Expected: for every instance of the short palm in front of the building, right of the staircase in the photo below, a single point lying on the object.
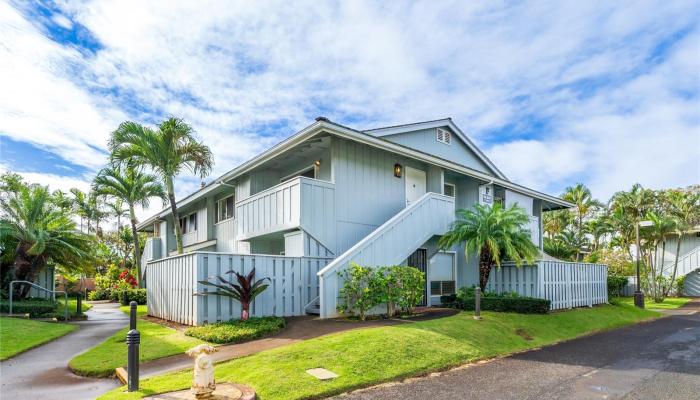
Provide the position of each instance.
(494, 234)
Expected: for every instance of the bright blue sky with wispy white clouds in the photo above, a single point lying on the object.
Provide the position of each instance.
(604, 93)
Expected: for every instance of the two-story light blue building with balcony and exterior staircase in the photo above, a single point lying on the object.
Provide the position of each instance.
(328, 195)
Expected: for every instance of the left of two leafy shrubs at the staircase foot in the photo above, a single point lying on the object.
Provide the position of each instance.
(359, 291)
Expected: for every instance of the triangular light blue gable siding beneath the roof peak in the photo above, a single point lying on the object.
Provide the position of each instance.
(424, 140)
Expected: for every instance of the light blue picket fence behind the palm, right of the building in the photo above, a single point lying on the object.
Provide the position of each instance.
(565, 284)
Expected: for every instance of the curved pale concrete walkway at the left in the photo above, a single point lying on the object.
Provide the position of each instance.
(42, 373)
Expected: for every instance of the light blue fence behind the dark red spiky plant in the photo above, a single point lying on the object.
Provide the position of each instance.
(173, 285)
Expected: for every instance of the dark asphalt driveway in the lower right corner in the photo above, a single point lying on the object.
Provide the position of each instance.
(656, 360)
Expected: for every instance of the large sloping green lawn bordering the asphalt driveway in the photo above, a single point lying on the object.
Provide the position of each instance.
(369, 356)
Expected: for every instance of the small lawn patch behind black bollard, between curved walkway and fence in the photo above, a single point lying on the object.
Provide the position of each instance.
(157, 341)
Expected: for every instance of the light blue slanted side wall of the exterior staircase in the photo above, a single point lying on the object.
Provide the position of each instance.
(389, 244)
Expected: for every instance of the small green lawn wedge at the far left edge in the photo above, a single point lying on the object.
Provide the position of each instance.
(18, 335)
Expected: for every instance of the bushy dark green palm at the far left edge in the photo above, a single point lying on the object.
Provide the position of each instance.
(41, 233)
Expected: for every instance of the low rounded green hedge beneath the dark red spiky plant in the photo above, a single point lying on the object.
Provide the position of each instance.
(236, 331)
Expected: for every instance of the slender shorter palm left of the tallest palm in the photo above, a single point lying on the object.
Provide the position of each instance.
(134, 188)
